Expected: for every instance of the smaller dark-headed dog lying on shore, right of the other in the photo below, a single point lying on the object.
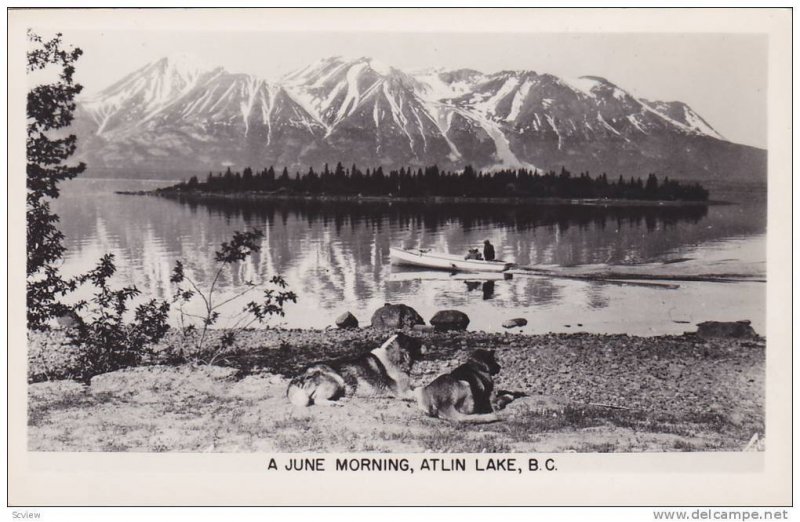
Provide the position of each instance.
(464, 394)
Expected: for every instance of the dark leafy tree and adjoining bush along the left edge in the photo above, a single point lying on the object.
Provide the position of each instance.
(104, 338)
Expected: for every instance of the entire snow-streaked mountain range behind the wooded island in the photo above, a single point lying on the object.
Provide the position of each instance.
(179, 114)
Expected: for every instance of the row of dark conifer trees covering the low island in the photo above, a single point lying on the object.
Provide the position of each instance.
(431, 181)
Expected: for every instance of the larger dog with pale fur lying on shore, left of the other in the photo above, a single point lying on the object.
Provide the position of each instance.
(383, 371)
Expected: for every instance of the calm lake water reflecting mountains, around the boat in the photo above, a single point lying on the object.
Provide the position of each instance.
(335, 256)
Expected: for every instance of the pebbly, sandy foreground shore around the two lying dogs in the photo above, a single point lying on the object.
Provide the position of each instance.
(585, 393)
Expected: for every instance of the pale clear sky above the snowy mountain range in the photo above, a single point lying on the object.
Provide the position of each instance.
(721, 76)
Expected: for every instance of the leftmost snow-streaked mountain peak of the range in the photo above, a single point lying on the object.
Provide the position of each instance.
(170, 115)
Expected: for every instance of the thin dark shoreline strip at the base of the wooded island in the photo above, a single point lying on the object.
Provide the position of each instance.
(200, 196)
